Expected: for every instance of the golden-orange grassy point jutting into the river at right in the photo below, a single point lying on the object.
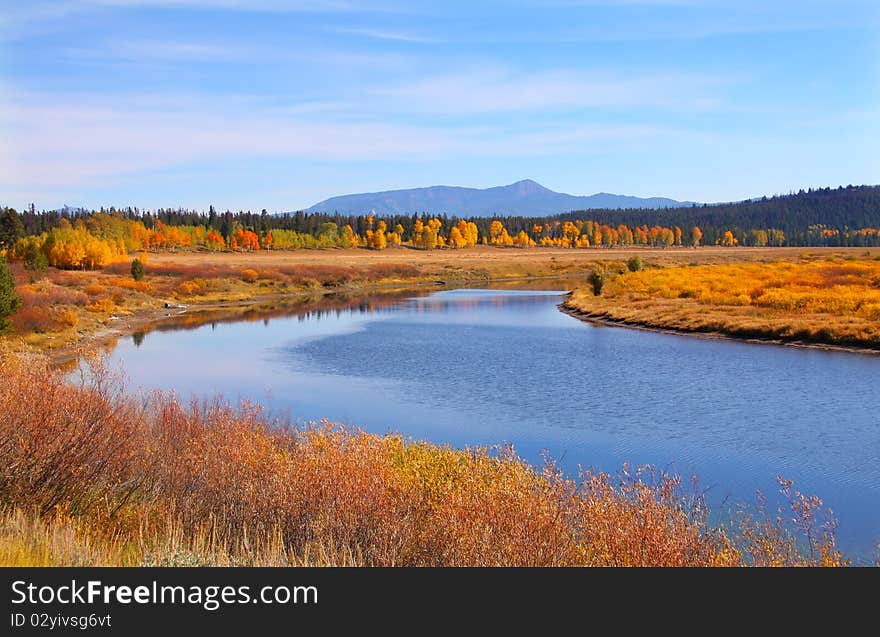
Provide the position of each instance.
(834, 301)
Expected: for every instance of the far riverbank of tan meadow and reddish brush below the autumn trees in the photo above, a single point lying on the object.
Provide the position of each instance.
(66, 313)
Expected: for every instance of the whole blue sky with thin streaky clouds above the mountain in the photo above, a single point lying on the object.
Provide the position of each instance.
(278, 104)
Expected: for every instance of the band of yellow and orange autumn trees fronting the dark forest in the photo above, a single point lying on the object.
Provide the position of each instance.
(94, 240)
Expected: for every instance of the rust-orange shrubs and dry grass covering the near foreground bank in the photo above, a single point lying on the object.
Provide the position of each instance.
(94, 477)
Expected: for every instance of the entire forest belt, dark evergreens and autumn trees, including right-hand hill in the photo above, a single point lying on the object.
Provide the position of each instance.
(846, 216)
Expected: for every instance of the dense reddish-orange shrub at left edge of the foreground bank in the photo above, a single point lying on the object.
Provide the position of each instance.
(74, 446)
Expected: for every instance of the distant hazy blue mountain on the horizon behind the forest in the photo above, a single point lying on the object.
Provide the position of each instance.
(525, 197)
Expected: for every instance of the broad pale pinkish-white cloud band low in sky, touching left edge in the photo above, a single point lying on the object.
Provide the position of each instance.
(66, 145)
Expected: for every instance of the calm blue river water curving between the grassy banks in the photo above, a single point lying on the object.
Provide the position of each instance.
(481, 367)
